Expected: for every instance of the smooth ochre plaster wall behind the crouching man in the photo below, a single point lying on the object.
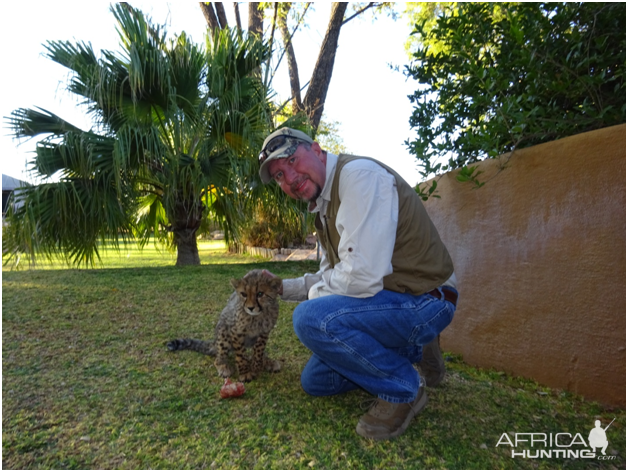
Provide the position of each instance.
(540, 258)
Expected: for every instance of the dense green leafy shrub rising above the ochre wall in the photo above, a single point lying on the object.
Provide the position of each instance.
(496, 77)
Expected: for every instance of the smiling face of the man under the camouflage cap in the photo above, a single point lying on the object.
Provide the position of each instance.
(302, 175)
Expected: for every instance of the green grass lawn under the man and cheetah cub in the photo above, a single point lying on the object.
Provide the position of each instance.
(88, 383)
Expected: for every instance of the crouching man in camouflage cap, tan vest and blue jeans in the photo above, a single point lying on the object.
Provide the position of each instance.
(385, 289)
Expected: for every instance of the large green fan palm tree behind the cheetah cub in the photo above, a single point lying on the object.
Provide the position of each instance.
(176, 131)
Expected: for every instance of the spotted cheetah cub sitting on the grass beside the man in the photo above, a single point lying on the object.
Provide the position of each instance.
(246, 322)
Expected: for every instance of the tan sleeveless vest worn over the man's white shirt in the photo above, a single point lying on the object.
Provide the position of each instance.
(420, 259)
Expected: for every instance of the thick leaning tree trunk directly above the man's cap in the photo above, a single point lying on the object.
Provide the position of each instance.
(314, 101)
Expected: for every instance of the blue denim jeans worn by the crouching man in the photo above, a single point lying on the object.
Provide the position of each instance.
(368, 343)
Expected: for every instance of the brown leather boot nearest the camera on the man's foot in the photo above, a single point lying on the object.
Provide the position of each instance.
(387, 420)
